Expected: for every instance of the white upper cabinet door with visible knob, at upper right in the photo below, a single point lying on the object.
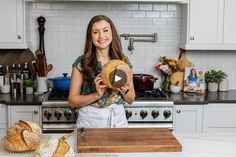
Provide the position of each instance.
(205, 21)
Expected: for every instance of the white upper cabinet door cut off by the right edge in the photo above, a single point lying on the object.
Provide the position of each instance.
(229, 22)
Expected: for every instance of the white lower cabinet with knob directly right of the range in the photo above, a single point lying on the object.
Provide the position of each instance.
(188, 118)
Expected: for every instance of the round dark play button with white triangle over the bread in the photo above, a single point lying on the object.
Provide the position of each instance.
(118, 78)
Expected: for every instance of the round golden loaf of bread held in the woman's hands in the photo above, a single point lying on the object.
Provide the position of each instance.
(115, 74)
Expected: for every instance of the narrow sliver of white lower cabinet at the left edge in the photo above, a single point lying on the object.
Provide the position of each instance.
(3, 118)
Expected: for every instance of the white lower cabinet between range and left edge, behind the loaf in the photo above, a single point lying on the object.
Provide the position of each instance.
(26, 113)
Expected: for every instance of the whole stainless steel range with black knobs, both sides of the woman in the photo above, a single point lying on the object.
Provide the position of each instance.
(150, 109)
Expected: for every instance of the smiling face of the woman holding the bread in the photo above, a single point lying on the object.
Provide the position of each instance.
(101, 34)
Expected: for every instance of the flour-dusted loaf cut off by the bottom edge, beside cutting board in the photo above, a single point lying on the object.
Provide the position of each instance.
(55, 148)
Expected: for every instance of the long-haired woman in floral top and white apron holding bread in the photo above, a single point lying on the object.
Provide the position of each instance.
(100, 107)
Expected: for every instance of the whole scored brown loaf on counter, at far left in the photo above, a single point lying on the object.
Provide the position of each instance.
(23, 136)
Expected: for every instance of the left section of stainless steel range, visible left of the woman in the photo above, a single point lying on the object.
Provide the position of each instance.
(57, 116)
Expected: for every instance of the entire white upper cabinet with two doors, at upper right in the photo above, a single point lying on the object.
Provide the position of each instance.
(208, 25)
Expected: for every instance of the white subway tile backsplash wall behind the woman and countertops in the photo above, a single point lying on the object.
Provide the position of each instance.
(66, 24)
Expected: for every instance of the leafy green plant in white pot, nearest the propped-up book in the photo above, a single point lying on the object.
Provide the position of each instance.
(213, 78)
